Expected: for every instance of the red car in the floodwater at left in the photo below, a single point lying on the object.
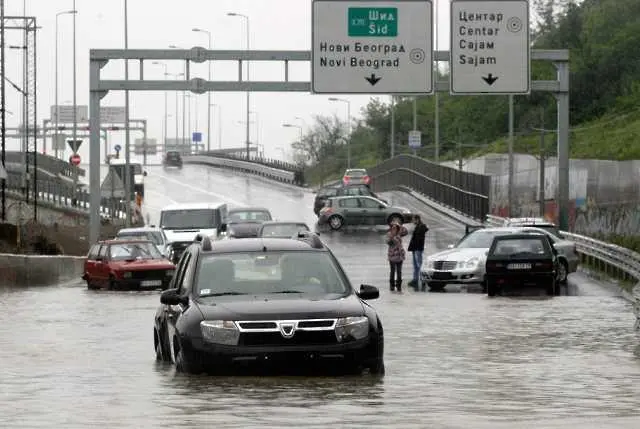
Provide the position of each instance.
(127, 264)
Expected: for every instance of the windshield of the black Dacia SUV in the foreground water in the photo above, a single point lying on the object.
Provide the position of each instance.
(274, 272)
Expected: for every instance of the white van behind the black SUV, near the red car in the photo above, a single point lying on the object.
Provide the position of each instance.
(182, 222)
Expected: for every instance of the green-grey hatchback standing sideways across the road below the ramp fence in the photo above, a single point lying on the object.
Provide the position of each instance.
(341, 211)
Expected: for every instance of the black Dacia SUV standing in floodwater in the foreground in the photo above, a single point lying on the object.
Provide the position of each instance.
(268, 304)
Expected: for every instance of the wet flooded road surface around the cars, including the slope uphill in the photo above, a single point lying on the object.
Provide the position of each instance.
(73, 358)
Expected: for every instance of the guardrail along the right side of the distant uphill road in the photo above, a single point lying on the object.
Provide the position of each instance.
(290, 177)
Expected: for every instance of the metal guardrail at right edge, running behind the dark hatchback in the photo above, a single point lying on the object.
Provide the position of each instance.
(611, 259)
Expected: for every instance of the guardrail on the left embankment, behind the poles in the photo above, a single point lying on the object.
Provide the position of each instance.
(60, 196)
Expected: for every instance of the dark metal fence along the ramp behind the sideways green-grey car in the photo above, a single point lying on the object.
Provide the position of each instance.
(467, 193)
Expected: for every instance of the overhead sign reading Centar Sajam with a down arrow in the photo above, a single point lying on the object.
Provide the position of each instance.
(490, 48)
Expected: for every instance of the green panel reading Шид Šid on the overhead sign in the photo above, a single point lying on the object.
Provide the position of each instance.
(373, 22)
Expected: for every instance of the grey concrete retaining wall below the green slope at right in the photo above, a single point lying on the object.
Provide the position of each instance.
(605, 195)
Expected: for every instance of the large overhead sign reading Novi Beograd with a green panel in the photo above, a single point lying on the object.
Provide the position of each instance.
(372, 47)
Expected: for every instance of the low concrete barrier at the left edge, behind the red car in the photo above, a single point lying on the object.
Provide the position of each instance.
(39, 270)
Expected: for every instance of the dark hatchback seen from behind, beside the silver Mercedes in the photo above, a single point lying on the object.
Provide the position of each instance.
(519, 261)
